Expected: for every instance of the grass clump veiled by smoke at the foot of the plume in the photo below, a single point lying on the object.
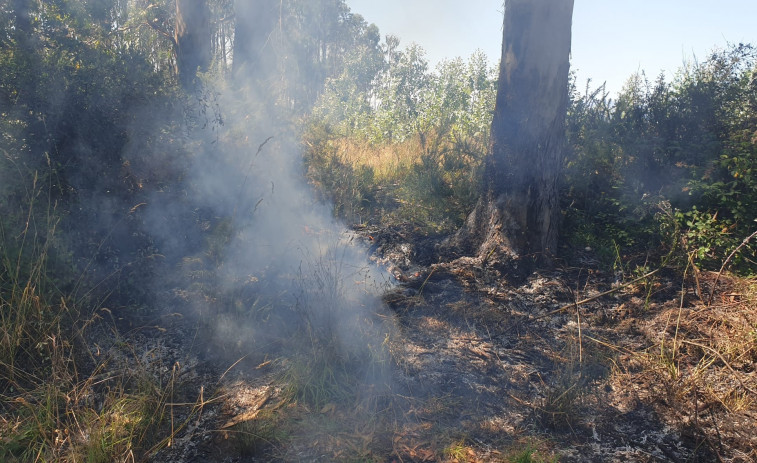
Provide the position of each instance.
(340, 353)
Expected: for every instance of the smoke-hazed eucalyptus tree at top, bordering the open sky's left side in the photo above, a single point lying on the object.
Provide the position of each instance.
(287, 50)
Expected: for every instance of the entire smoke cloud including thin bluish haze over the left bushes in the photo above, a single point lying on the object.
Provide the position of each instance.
(197, 203)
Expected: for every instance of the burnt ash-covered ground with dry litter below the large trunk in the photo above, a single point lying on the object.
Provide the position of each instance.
(483, 370)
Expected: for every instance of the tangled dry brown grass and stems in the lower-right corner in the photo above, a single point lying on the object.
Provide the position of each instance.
(700, 371)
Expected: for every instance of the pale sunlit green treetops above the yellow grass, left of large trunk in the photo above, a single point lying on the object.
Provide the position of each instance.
(397, 97)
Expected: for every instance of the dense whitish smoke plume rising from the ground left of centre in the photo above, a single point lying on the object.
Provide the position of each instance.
(249, 250)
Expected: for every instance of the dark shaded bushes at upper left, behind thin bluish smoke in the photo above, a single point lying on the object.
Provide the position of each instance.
(76, 99)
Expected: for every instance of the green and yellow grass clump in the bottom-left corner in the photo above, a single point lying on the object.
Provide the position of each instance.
(53, 412)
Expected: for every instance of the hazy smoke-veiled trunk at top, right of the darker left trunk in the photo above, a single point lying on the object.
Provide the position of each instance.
(252, 52)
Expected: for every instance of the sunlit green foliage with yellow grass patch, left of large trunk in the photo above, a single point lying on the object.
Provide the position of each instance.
(400, 143)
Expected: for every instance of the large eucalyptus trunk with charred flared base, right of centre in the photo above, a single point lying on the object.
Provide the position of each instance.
(517, 215)
